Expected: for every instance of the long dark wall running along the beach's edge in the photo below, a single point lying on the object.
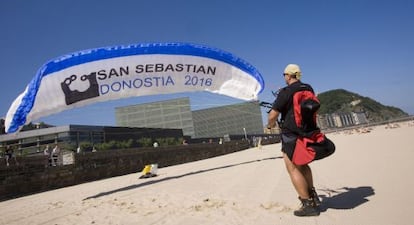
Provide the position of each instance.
(33, 174)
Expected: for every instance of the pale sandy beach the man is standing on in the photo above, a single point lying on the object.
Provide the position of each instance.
(366, 181)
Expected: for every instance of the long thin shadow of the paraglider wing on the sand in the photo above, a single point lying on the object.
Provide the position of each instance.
(174, 177)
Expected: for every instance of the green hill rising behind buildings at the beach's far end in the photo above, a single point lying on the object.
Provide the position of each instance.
(342, 101)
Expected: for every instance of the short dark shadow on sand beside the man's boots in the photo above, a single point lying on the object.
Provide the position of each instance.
(345, 198)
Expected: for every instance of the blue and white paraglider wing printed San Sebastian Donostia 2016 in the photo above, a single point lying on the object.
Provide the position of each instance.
(110, 73)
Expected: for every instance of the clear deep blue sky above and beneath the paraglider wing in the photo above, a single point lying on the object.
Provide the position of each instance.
(363, 46)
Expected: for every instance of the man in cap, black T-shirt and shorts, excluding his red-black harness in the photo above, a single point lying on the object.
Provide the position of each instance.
(300, 175)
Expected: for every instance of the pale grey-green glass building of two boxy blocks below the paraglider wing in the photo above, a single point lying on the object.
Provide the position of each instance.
(237, 119)
